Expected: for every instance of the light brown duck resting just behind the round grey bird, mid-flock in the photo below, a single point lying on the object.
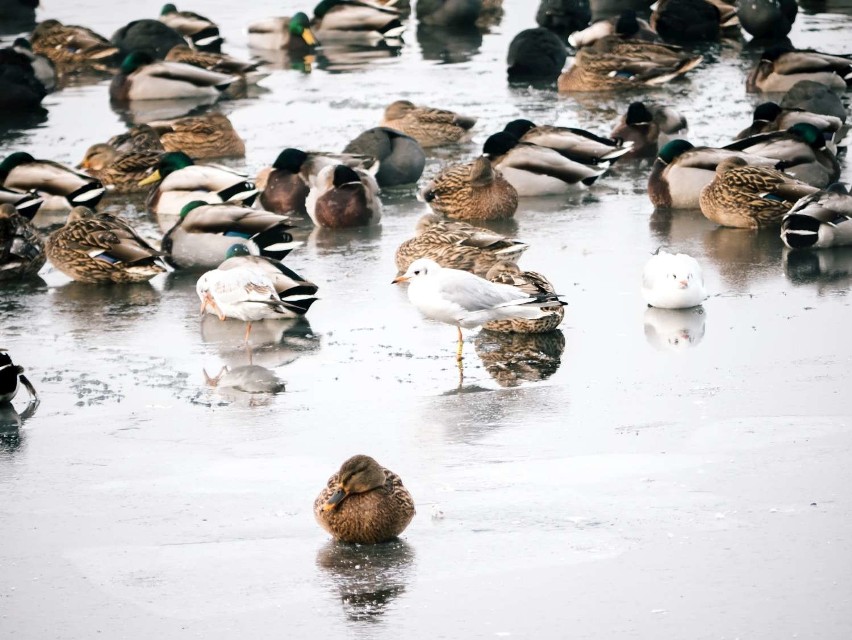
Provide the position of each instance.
(431, 127)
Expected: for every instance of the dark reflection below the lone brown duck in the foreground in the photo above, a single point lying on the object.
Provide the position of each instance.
(367, 578)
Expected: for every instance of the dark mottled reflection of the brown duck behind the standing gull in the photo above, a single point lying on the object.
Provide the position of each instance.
(514, 358)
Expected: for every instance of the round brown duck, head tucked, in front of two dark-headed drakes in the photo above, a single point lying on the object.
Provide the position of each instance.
(471, 191)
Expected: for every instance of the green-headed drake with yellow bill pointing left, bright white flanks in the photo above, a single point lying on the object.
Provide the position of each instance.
(183, 181)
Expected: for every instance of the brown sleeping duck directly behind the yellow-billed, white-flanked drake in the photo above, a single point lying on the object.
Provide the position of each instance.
(207, 136)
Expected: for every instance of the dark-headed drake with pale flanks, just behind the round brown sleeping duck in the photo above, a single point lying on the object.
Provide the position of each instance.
(535, 170)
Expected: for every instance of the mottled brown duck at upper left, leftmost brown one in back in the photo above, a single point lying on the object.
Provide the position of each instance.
(71, 46)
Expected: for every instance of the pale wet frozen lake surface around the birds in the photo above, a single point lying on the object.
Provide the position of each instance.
(649, 476)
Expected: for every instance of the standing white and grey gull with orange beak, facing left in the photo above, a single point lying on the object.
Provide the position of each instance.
(465, 300)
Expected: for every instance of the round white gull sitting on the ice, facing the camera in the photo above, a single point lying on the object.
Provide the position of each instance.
(673, 281)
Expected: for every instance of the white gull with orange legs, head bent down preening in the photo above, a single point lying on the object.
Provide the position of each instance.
(244, 292)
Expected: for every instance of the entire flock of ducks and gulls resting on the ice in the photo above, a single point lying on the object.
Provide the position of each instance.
(236, 230)
